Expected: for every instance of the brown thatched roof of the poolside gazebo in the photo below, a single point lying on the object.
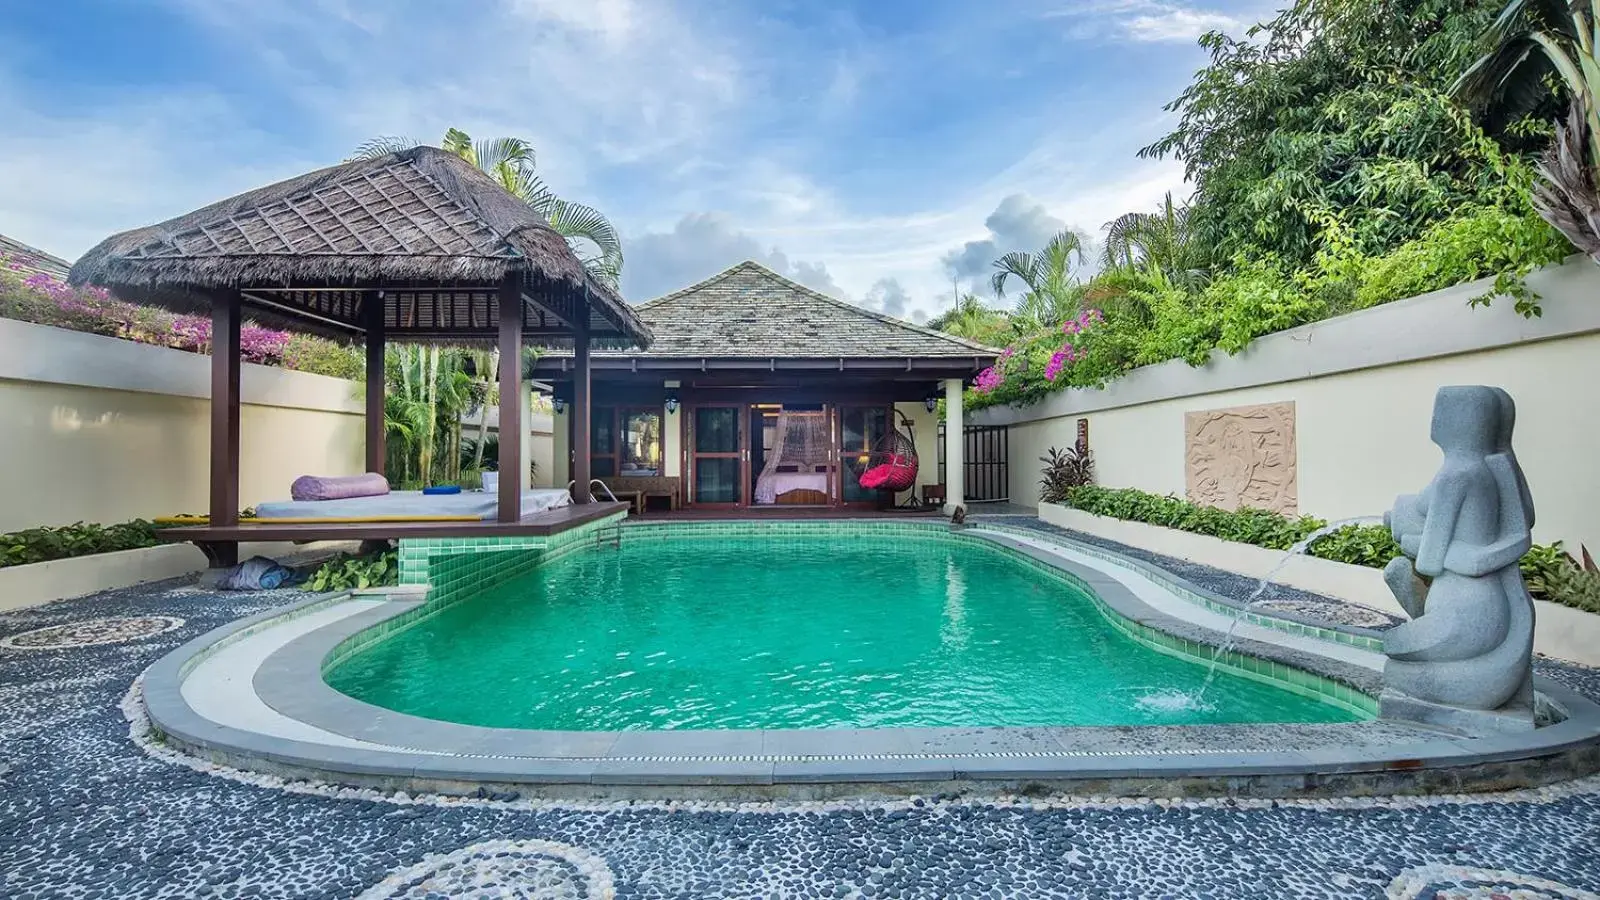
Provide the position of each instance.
(422, 230)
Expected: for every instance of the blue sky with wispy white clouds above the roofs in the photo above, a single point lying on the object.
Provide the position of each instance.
(874, 150)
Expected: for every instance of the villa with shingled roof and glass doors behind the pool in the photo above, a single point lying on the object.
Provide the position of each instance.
(759, 392)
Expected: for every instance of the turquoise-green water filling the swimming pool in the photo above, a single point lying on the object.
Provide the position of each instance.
(793, 633)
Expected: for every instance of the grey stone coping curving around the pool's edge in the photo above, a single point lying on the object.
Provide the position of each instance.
(430, 755)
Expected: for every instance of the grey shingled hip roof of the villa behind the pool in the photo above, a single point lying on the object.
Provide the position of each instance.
(753, 311)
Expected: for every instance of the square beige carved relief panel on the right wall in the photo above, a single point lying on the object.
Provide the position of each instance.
(1242, 457)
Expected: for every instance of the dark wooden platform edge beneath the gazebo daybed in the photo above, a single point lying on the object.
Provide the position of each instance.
(220, 542)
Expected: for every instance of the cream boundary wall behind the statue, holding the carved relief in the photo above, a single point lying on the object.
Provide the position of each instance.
(1364, 390)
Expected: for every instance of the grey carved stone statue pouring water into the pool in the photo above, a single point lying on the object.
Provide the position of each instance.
(1465, 659)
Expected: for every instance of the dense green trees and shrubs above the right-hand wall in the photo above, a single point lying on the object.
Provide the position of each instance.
(1334, 169)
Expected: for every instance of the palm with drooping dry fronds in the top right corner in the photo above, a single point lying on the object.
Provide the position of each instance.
(1529, 42)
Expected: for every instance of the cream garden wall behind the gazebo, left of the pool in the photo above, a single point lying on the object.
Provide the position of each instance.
(100, 430)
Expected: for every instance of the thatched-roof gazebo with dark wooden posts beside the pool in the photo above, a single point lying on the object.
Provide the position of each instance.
(417, 246)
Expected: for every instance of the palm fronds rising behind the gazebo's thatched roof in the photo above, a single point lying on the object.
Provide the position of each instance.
(511, 163)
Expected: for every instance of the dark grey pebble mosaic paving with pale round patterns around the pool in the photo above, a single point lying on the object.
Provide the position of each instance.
(89, 813)
